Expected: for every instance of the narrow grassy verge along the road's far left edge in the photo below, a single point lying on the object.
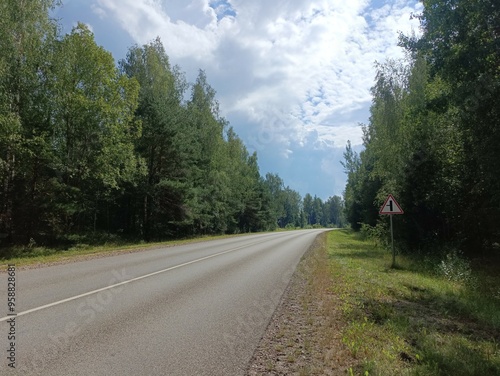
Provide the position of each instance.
(33, 256)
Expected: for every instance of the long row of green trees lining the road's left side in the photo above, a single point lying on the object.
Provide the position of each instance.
(93, 149)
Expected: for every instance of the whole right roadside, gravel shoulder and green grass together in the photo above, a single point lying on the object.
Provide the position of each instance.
(346, 312)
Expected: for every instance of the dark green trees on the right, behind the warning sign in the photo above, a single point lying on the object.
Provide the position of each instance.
(433, 136)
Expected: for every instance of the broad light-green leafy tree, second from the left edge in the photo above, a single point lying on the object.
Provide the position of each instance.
(93, 131)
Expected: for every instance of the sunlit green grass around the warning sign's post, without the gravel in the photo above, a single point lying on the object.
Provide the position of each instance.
(411, 320)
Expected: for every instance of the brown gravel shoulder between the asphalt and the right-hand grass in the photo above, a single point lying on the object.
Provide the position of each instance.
(304, 335)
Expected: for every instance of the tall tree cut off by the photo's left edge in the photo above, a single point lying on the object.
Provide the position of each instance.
(26, 37)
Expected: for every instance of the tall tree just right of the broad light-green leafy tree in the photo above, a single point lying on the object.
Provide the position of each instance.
(158, 199)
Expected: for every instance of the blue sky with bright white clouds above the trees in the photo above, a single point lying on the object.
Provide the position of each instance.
(292, 77)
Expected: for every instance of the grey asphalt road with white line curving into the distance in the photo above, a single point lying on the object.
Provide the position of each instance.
(197, 309)
